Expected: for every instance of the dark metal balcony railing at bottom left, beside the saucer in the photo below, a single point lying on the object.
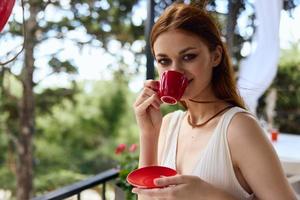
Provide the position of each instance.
(78, 187)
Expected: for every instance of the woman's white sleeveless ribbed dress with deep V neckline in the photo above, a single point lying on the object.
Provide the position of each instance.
(214, 163)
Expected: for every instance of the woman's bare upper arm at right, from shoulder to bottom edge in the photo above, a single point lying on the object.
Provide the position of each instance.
(257, 160)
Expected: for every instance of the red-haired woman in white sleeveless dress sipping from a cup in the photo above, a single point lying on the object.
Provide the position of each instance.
(216, 146)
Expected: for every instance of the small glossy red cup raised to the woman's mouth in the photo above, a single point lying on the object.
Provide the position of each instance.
(172, 86)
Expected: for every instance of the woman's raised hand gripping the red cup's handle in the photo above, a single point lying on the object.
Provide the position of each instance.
(147, 108)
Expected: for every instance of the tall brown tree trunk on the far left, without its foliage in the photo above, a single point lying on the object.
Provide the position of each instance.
(27, 126)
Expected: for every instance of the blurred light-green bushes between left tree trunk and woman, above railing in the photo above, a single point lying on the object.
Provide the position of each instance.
(80, 137)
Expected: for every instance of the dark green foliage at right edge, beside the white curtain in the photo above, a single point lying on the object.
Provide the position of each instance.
(287, 84)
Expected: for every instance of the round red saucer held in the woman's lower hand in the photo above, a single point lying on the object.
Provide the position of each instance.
(143, 177)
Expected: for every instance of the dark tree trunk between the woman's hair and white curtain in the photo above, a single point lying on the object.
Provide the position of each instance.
(233, 11)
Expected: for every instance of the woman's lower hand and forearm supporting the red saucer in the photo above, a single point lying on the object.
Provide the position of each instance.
(182, 187)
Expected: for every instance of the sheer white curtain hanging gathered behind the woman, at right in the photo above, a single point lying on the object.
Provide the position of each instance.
(258, 70)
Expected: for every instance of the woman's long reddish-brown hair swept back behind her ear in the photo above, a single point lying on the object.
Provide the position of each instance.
(197, 21)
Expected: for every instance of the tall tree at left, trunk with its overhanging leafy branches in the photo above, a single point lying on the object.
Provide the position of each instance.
(102, 21)
